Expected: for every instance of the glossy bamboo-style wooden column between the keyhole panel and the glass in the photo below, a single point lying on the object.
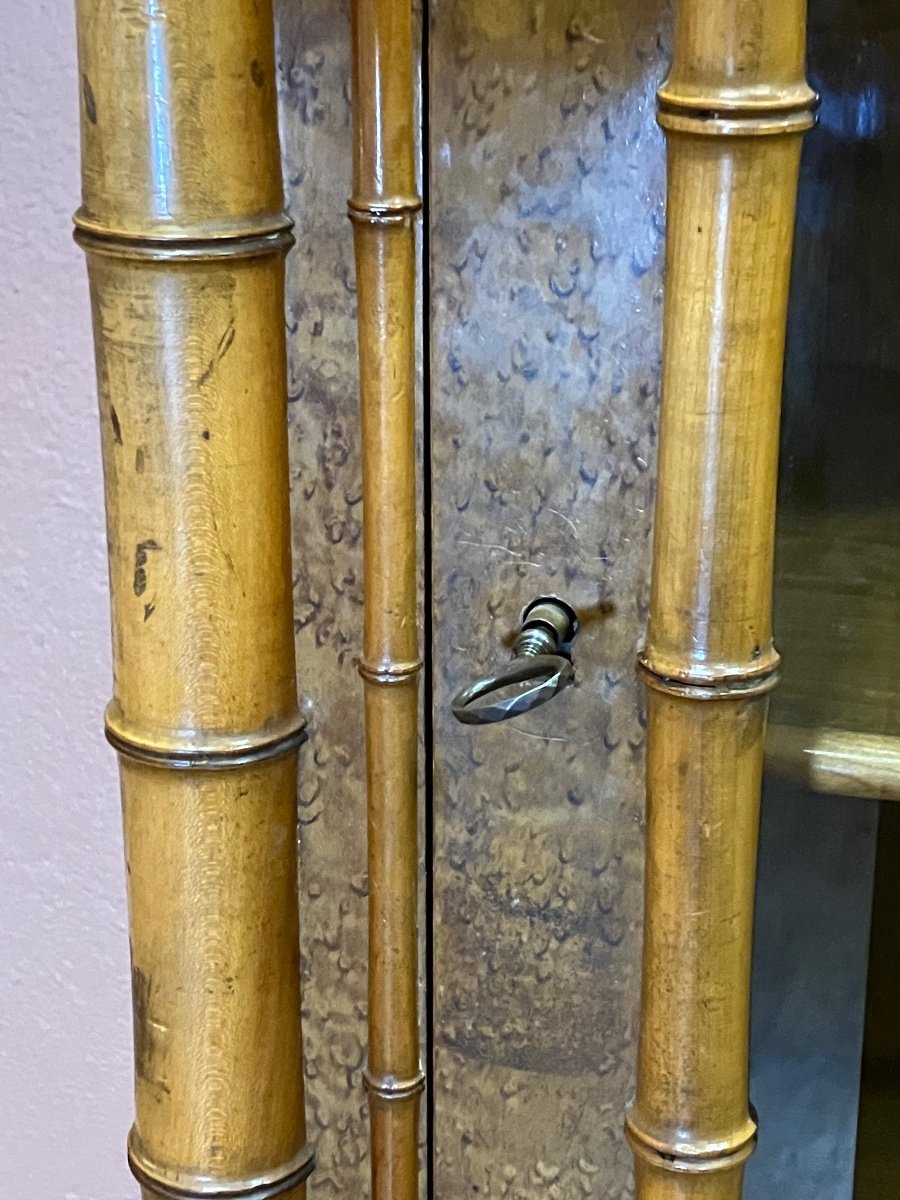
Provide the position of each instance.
(734, 110)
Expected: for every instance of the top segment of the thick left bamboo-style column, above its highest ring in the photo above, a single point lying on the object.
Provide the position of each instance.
(159, 160)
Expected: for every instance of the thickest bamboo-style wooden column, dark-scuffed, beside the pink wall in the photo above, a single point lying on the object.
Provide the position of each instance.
(183, 226)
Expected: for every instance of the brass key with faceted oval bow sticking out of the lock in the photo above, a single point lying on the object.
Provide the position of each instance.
(541, 668)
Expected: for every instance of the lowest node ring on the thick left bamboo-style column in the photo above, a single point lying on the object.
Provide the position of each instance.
(182, 1186)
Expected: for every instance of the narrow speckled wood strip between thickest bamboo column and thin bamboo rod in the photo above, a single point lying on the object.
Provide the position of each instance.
(327, 505)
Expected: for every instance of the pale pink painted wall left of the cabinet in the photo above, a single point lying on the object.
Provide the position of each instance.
(65, 1031)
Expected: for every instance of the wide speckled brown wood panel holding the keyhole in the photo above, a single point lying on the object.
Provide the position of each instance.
(547, 255)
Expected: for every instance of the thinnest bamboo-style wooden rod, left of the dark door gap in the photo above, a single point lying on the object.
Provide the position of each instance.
(383, 208)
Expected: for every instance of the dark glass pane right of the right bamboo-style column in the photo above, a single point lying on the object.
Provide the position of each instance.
(837, 605)
